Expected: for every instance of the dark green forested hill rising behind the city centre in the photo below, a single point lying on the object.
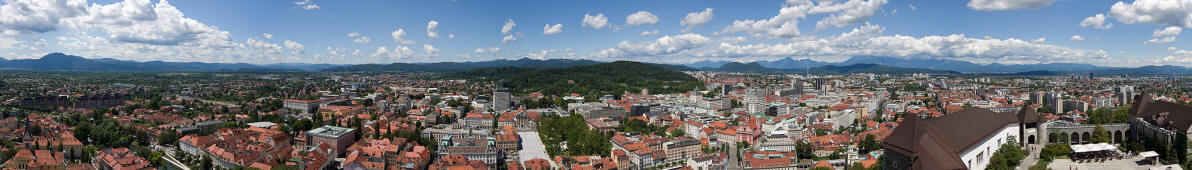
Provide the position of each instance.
(613, 79)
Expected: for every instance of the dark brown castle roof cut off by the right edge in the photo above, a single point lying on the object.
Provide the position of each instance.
(1177, 116)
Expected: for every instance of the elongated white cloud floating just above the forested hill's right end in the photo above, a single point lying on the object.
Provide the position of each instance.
(665, 46)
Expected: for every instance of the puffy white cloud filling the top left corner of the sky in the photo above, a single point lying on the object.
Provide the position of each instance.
(39, 16)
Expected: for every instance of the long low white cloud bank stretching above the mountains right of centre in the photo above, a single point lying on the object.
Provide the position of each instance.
(870, 41)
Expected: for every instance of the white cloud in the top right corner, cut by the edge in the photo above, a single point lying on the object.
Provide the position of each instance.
(1163, 12)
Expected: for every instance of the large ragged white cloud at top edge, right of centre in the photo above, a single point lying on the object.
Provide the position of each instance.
(786, 24)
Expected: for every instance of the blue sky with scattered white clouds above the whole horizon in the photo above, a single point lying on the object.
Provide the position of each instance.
(1101, 33)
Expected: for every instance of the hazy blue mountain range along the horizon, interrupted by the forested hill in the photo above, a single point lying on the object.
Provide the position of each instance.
(868, 64)
